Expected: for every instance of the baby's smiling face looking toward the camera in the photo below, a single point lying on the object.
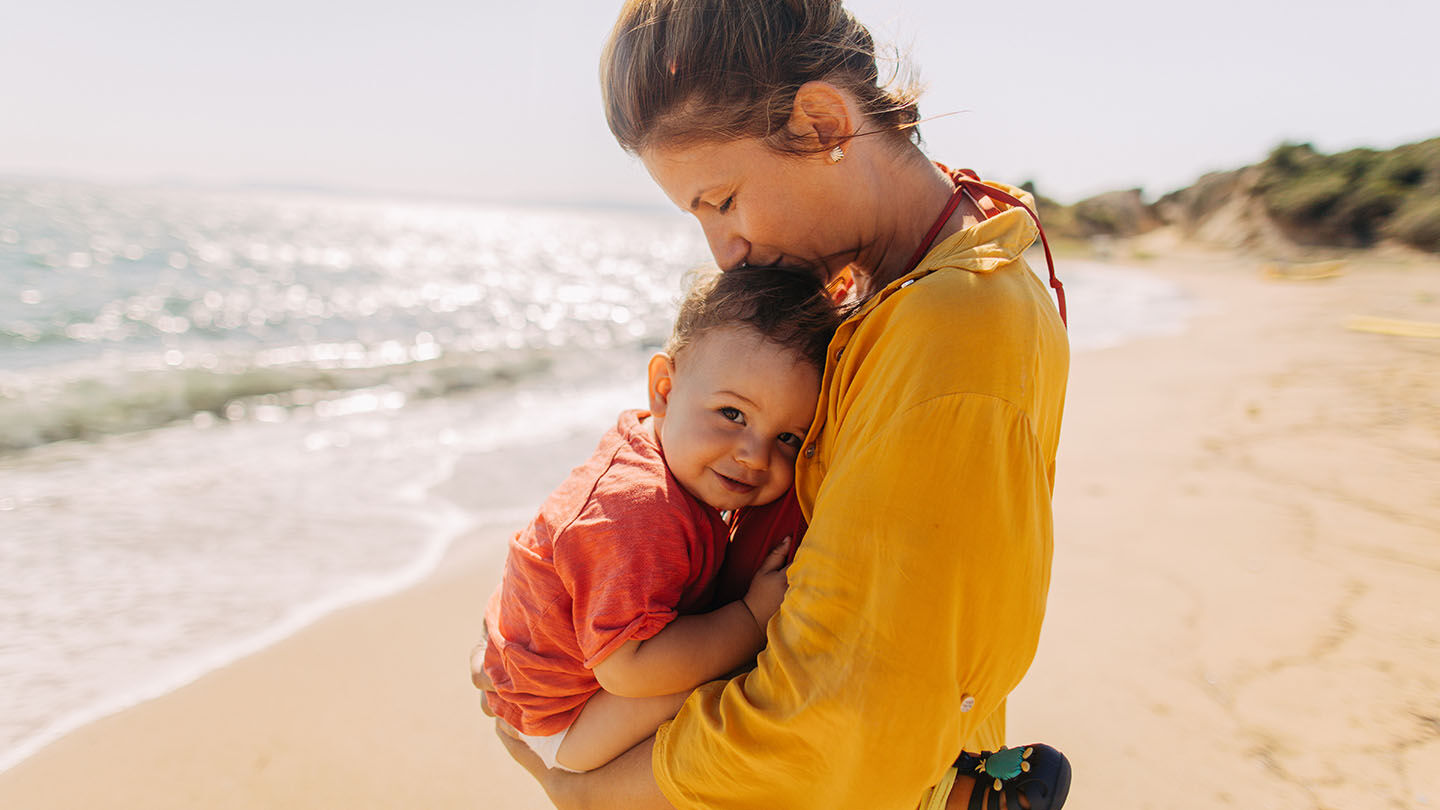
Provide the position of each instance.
(732, 416)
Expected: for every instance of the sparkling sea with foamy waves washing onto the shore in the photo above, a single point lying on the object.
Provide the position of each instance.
(225, 414)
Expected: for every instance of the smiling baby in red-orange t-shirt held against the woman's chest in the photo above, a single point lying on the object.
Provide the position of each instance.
(606, 619)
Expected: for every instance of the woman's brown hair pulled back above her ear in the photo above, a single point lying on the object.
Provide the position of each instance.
(685, 71)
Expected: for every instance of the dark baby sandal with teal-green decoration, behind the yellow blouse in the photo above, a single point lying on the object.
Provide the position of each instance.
(1039, 773)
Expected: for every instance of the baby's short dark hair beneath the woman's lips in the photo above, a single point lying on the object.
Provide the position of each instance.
(788, 308)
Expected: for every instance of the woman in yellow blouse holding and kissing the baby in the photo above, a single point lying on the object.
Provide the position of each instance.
(917, 599)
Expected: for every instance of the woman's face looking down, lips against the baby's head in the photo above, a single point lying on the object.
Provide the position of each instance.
(760, 207)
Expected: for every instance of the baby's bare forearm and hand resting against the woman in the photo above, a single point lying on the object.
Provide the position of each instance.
(696, 649)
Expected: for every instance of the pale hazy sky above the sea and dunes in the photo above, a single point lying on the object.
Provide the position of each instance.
(500, 100)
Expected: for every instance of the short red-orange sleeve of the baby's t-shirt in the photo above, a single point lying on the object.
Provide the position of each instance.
(626, 563)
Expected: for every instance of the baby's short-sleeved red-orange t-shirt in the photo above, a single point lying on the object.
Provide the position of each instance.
(617, 553)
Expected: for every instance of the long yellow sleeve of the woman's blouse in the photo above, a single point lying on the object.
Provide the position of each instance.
(922, 582)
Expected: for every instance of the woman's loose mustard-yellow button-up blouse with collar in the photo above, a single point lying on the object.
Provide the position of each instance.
(917, 599)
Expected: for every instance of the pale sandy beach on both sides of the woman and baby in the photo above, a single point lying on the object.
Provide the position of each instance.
(1243, 609)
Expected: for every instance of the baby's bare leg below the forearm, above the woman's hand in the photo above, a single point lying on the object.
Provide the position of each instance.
(611, 726)
